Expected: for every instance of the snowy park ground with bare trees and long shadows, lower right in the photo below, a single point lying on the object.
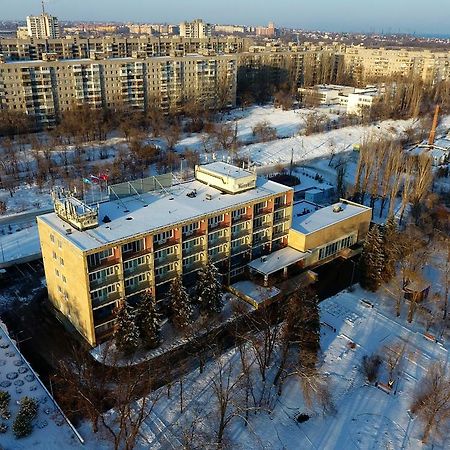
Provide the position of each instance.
(366, 416)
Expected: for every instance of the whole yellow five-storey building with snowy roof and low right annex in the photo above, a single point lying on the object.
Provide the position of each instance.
(153, 230)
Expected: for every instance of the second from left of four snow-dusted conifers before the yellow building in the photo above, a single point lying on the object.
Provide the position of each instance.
(147, 319)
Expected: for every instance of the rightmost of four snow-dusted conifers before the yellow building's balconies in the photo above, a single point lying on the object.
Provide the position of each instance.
(209, 290)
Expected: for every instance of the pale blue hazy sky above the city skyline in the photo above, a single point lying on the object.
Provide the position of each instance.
(420, 16)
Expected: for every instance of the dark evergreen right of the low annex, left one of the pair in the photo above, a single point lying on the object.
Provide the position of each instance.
(371, 262)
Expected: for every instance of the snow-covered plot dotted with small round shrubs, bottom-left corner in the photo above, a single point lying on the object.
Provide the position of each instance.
(51, 430)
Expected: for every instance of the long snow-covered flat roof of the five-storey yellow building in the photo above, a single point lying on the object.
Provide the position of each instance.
(153, 211)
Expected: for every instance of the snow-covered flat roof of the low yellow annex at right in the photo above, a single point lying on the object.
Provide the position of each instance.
(316, 219)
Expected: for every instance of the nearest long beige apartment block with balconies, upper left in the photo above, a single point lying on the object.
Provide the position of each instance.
(44, 89)
